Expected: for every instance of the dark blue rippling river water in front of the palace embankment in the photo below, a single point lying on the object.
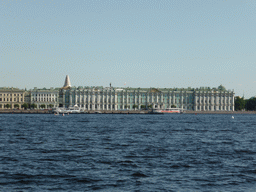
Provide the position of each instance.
(127, 152)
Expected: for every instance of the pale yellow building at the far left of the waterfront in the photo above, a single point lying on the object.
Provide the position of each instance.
(11, 96)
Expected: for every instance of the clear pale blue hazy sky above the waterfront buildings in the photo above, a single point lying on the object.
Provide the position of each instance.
(143, 43)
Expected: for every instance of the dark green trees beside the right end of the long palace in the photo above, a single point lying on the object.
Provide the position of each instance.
(245, 104)
